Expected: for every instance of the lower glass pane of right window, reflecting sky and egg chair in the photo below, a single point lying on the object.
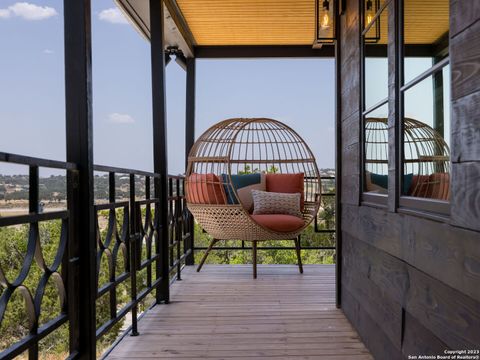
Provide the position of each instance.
(426, 145)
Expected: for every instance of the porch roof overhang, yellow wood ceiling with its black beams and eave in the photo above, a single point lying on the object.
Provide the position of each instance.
(234, 29)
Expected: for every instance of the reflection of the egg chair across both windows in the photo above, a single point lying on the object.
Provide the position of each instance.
(426, 157)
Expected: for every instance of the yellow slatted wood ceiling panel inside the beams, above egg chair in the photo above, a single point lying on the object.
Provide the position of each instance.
(250, 22)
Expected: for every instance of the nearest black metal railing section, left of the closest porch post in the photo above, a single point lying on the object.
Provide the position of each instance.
(57, 270)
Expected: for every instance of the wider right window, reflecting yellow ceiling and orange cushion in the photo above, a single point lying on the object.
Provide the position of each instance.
(425, 104)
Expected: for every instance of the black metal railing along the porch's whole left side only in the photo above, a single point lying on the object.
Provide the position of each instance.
(128, 253)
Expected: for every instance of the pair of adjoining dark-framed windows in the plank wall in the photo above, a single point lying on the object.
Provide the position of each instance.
(419, 68)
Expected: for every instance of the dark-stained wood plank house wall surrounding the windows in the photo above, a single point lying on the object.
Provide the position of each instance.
(410, 285)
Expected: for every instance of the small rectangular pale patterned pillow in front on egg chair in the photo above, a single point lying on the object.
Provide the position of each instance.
(265, 202)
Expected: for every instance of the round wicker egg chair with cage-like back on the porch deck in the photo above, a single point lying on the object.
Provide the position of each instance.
(237, 147)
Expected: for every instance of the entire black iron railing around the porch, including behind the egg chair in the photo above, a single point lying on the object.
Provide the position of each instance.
(128, 249)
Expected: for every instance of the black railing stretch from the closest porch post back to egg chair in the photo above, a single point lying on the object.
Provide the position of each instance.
(140, 241)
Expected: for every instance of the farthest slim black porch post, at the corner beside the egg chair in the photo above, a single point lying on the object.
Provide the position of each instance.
(189, 141)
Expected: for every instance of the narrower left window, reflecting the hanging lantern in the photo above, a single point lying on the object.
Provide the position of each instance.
(374, 101)
